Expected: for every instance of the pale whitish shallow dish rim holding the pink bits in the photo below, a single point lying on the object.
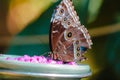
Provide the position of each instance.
(37, 69)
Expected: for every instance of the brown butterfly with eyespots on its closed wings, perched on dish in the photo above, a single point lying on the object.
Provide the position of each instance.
(69, 39)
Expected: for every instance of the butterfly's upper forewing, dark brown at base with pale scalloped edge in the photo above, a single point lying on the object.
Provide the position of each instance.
(59, 21)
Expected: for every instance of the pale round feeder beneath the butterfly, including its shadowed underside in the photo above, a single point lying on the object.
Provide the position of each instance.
(10, 69)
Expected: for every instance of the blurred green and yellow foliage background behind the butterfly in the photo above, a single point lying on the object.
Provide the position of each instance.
(25, 24)
